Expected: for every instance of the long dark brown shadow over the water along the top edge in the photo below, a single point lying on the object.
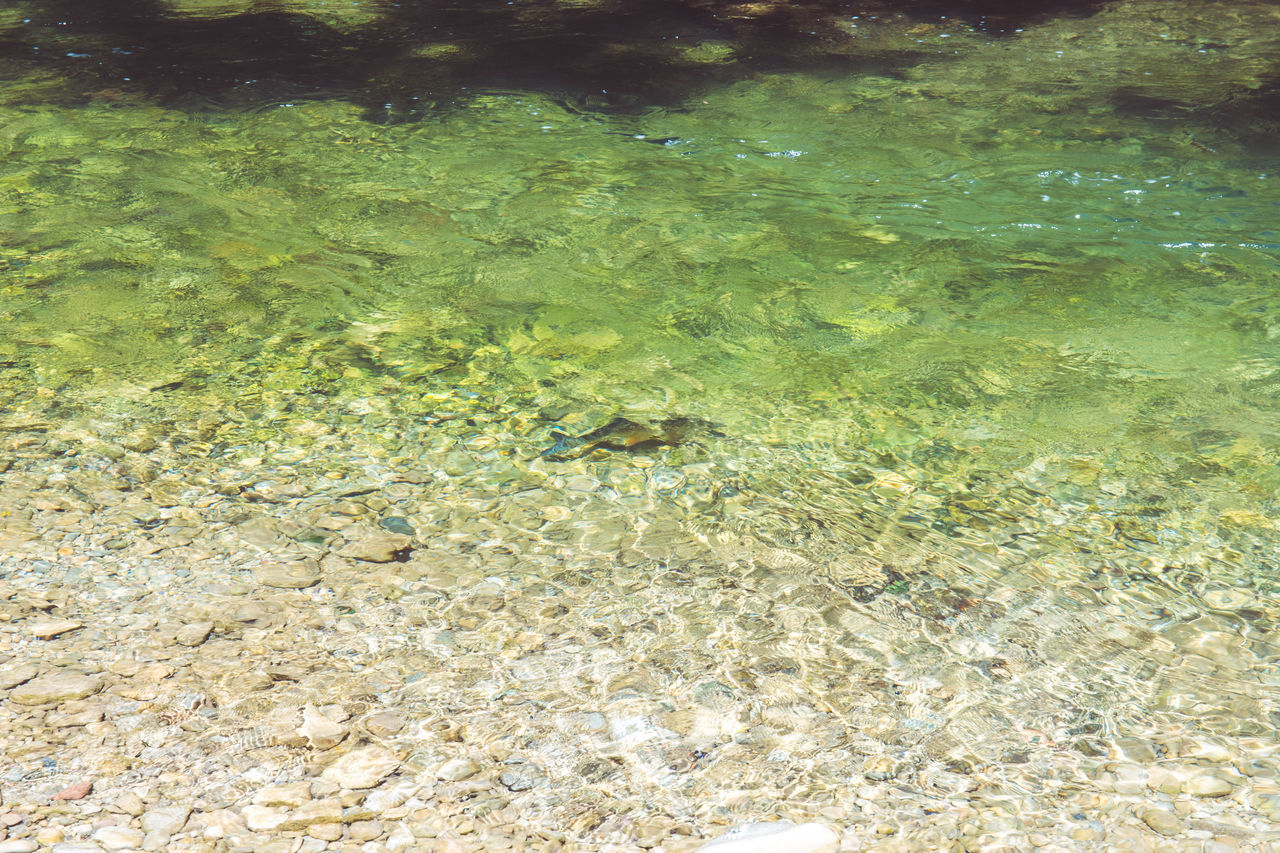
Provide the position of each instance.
(410, 61)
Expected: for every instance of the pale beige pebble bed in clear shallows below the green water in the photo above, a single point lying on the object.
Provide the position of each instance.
(510, 592)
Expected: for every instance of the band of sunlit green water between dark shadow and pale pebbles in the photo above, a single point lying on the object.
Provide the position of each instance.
(989, 248)
